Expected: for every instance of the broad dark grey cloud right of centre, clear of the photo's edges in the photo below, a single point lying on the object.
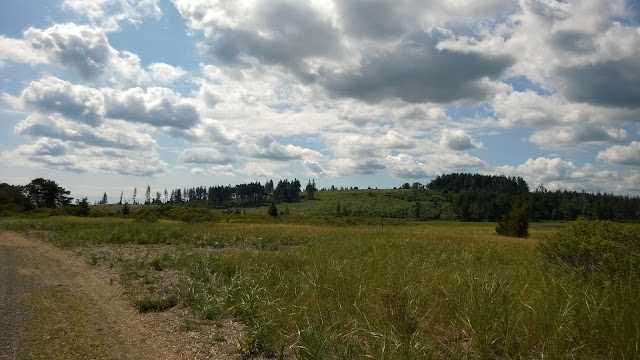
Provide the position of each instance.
(417, 72)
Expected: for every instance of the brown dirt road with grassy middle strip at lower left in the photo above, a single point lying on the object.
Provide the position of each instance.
(54, 305)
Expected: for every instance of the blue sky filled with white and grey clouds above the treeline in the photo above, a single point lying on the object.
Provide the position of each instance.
(111, 95)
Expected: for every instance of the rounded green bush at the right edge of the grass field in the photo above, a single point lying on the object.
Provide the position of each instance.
(595, 247)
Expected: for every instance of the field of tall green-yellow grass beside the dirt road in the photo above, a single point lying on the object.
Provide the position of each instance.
(413, 291)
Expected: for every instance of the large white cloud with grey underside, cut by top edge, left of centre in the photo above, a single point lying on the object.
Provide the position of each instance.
(286, 33)
